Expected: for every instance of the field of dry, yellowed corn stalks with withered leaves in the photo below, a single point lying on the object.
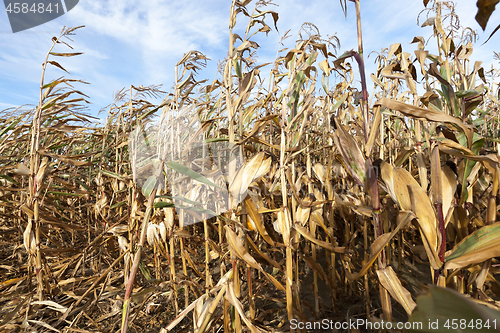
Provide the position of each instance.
(246, 203)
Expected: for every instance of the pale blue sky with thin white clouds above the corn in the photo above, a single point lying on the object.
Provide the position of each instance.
(139, 42)
